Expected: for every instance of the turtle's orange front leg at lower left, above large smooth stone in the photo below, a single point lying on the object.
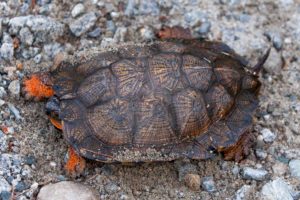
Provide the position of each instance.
(75, 164)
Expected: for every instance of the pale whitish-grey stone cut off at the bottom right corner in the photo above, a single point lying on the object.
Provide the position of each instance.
(276, 190)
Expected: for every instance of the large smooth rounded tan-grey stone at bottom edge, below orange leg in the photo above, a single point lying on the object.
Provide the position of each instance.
(66, 190)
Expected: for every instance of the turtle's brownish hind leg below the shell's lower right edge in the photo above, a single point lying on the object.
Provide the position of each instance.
(240, 149)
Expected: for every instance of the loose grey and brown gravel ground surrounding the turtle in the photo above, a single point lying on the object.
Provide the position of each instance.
(33, 152)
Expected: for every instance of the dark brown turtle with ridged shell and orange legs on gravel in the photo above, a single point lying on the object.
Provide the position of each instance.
(177, 97)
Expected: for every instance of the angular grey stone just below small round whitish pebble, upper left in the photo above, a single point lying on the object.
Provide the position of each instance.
(81, 25)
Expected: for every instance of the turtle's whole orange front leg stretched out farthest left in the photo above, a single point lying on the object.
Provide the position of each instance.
(38, 86)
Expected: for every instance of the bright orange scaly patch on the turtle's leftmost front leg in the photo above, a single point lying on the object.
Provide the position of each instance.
(35, 87)
